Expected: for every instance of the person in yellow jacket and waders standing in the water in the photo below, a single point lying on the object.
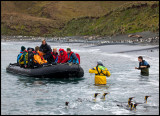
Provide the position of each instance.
(100, 73)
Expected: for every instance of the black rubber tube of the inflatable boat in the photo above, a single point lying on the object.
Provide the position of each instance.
(58, 70)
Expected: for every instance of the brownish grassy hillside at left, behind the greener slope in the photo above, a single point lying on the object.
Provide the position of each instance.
(40, 18)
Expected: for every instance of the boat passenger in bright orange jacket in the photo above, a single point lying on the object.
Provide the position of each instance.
(38, 60)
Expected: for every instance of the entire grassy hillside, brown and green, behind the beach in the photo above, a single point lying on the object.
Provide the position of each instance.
(68, 18)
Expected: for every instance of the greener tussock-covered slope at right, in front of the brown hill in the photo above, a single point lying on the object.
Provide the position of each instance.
(131, 18)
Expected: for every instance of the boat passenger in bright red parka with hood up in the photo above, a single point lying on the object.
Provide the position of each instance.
(63, 57)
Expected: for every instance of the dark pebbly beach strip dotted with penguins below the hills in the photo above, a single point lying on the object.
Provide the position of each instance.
(136, 38)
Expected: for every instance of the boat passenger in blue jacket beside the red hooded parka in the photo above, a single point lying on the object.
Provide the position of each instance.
(72, 56)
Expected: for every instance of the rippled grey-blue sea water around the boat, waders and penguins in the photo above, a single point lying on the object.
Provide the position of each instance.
(27, 95)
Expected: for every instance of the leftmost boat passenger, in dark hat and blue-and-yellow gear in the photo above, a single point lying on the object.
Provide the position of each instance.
(22, 58)
